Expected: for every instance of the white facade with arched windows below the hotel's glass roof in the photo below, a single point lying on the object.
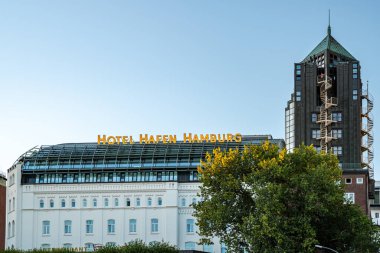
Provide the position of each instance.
(81, 215)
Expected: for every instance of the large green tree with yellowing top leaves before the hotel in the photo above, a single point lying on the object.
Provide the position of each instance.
(267, 200)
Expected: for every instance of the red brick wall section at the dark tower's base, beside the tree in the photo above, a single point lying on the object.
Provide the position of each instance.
(360, 190)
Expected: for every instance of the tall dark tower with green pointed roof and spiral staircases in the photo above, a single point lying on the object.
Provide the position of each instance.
(331, 109)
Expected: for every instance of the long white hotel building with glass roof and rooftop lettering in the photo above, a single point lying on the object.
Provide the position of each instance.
(89, 194)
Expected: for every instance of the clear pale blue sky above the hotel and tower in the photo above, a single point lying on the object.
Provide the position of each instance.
(70, 70)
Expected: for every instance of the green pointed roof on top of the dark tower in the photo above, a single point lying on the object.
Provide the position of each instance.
(329, 43)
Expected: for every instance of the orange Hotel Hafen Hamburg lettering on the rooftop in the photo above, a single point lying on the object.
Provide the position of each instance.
(169, 138)
